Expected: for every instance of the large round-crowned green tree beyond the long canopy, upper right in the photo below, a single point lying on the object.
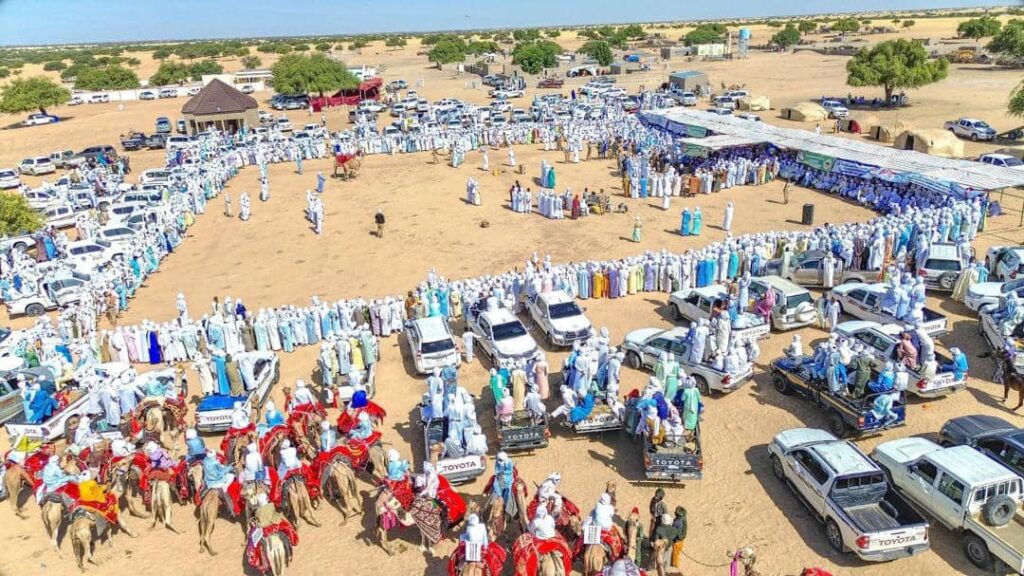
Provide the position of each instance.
(897, 64)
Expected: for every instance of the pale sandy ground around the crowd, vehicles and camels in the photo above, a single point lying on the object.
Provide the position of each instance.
(276, 259)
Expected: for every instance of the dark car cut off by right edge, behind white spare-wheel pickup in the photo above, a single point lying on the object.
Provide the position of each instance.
(992, 436)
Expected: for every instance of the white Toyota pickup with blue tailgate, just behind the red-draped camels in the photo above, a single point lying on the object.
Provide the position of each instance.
(260, 371)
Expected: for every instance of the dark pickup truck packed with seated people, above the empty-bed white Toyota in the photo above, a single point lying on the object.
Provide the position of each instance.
(847, 416)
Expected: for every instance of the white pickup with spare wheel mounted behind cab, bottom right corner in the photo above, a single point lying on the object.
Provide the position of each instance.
(965, 490)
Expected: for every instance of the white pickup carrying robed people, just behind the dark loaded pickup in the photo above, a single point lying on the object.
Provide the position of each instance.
(881, 342)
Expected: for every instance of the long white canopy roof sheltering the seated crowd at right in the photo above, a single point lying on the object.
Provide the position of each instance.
(966, 175)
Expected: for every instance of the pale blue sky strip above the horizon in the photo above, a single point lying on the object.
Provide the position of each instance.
(64, 22)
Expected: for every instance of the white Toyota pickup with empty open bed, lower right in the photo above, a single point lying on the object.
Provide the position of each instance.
(849, 495)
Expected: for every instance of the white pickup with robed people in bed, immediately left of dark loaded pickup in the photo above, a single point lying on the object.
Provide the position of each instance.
(644, 349)
